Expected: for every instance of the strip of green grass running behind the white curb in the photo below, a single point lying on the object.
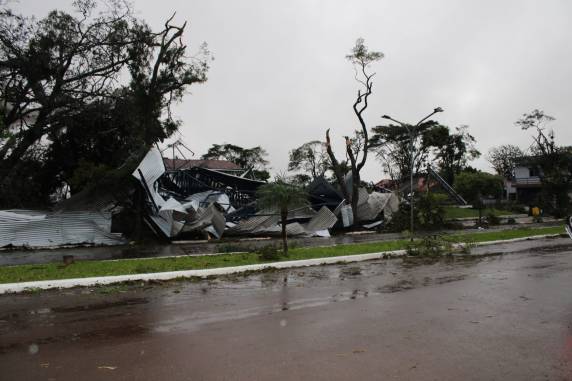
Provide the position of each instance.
(84, 269)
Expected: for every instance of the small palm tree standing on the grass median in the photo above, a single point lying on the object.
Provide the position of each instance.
(282, 196)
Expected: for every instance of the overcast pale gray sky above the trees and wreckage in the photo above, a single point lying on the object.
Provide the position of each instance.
(280, 78)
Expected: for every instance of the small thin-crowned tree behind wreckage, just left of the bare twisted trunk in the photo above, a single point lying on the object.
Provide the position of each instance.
(311, 158)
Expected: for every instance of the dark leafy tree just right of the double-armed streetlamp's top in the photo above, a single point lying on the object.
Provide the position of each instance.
(453, 152)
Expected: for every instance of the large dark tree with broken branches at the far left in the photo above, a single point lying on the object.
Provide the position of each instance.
(84, 85)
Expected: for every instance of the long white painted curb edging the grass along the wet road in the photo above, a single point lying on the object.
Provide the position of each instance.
(95, 281)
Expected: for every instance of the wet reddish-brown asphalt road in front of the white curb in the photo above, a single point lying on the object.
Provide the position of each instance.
(500, 317)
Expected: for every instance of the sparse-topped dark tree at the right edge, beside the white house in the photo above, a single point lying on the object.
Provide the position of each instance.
(554, 161)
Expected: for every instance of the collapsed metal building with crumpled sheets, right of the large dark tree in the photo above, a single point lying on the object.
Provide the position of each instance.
(199, 199)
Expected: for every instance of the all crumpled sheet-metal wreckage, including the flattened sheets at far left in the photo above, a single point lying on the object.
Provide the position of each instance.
(190, 201)
